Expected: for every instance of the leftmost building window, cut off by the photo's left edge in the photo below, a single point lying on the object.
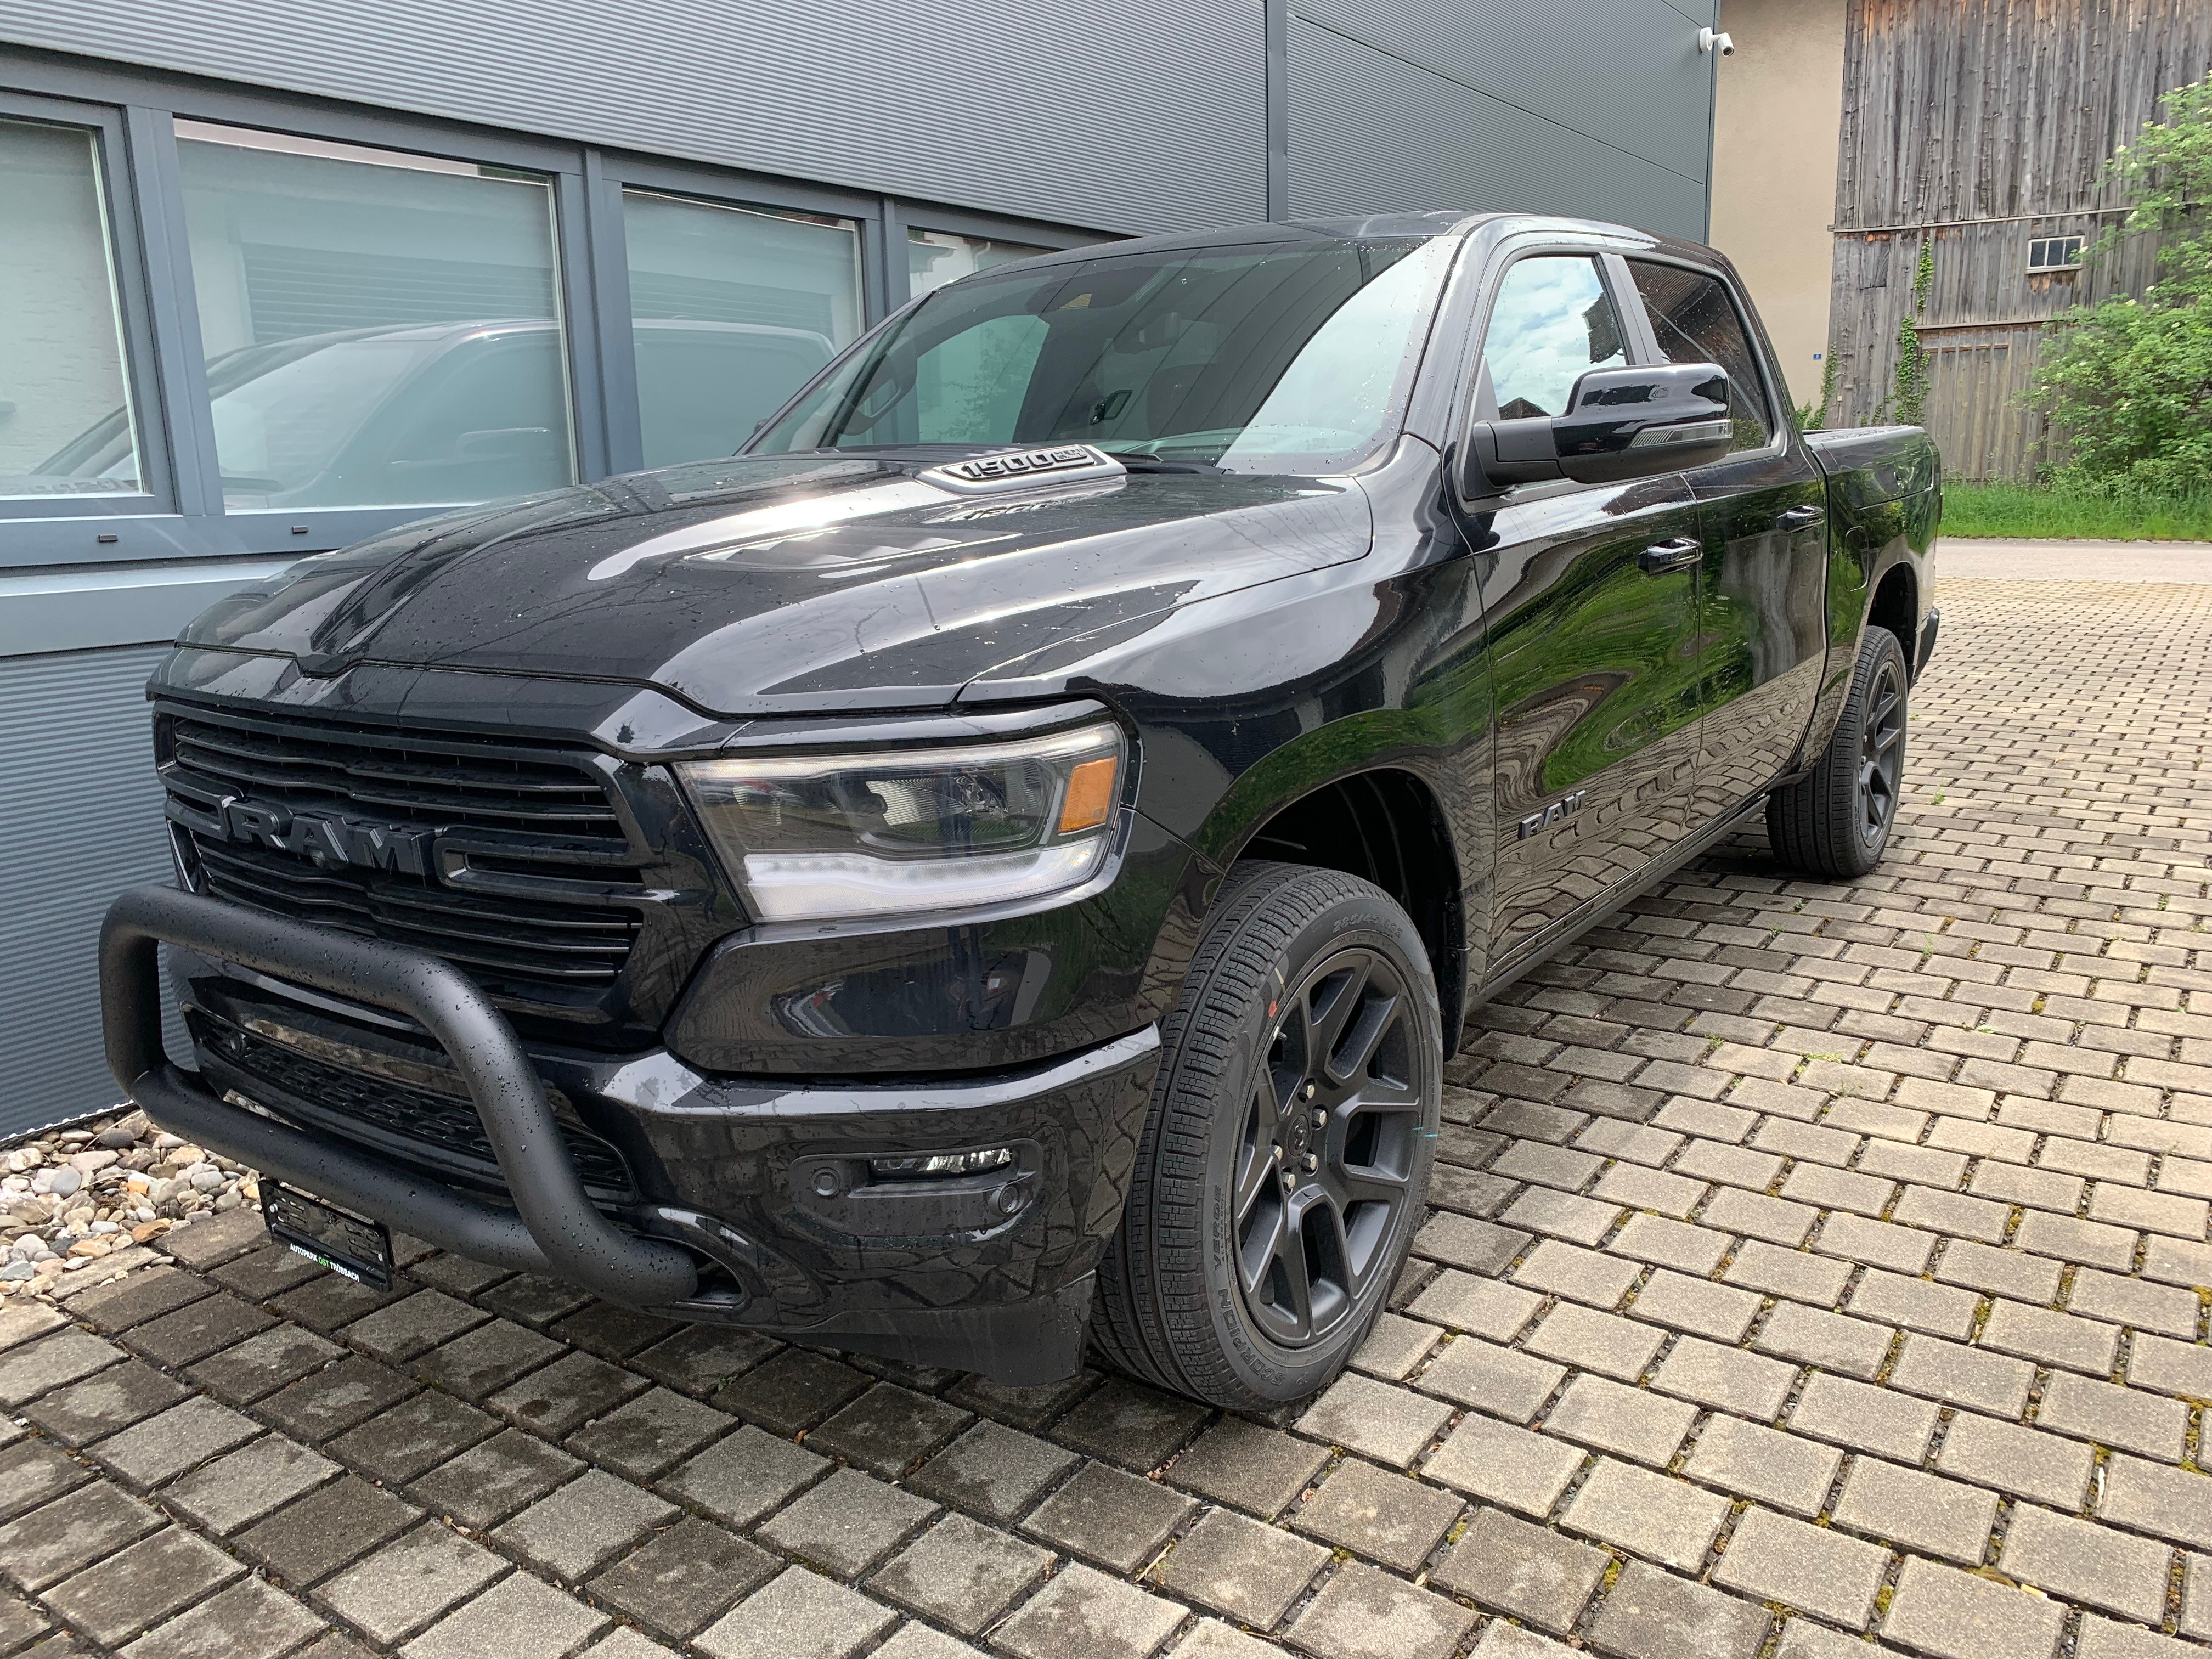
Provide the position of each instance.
(65, 408)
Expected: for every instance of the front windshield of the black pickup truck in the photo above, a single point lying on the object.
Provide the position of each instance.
(1249, 359)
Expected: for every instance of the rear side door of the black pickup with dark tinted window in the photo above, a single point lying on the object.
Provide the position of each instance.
(1764, 530)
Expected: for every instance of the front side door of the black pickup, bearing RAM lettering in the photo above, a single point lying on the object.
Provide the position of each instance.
(1592, 614)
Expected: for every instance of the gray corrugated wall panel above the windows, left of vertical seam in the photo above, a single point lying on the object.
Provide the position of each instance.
(1142, 116)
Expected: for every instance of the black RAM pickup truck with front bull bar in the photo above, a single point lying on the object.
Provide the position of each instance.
(1001, 864)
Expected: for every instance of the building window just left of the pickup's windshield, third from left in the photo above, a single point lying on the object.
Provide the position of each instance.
(731, 313)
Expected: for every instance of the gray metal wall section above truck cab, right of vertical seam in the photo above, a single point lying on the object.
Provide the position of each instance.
(1545, 105)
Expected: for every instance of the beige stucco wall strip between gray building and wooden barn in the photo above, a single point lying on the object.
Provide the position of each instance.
(1775, 132)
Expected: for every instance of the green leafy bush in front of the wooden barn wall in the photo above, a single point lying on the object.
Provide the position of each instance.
(2127, 386)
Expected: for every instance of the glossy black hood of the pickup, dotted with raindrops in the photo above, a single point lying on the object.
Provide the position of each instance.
(791, 583)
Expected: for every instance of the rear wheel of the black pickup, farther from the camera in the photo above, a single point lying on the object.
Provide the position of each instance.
(1839, 820)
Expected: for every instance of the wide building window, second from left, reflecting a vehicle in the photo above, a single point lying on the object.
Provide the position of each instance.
(382, 328)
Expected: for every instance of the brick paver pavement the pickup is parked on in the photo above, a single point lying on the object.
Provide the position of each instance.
(1811, 1262)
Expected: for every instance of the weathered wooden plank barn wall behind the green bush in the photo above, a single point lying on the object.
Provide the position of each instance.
(1981, 125)
